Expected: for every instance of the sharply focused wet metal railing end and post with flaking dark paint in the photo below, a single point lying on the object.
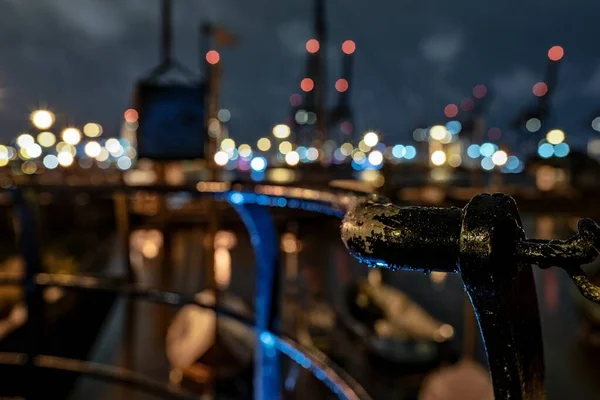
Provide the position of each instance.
(486, 244)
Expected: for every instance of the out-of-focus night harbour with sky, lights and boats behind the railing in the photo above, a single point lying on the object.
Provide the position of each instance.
(426, 103)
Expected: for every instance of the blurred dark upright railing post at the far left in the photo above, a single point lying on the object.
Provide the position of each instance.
(28, 240)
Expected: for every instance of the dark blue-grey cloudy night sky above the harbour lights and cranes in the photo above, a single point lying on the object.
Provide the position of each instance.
(81, 58)
